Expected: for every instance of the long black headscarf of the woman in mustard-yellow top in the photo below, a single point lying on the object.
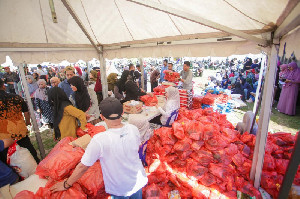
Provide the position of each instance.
(59, 100)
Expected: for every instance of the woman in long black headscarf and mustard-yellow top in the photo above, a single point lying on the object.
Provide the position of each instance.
(65, 114)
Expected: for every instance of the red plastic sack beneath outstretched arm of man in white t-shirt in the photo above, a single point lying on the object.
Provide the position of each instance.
(92, 180)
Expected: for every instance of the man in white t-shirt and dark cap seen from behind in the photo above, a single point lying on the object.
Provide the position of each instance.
(117, 149)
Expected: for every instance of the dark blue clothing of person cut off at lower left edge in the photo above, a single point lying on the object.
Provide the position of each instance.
(7, 176)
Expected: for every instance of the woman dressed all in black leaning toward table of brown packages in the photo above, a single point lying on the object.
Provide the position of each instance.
(132, 90)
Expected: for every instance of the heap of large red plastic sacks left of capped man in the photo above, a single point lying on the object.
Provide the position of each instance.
(60, 164)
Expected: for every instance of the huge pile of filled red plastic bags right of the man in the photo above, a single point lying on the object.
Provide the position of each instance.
(202, 156)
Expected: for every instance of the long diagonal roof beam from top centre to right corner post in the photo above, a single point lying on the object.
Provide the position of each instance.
(199, 20)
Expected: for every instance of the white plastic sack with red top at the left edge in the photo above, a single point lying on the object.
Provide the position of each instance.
(21, 160)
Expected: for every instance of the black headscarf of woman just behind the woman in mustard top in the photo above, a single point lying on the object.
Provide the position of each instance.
(82, 97)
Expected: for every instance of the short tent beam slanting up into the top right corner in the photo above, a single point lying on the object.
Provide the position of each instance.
(289, 23)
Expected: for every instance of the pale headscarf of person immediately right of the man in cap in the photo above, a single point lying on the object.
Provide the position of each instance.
(143, 125)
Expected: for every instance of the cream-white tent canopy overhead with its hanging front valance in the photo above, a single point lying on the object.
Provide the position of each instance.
(29, 34)
